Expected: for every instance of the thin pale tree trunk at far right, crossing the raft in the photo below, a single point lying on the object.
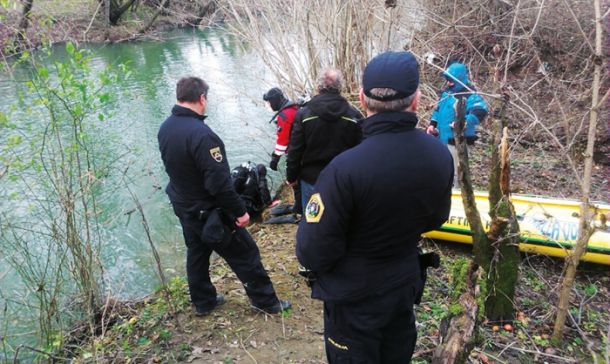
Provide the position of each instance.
(585, 230)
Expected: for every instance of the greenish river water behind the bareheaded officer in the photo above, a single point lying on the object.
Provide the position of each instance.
(236, 112)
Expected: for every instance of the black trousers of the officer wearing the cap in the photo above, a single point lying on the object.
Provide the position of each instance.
(377, 329)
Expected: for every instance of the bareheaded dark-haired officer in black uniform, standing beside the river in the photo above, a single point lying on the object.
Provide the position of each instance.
(212, 215)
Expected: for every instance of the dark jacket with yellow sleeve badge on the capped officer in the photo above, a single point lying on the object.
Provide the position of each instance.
(375, 200)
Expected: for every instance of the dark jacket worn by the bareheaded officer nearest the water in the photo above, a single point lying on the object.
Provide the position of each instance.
(196, 162)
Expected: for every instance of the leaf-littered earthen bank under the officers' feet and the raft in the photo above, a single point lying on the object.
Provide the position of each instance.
(148, 331)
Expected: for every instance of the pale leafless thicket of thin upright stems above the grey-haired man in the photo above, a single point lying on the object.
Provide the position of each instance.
(296, 39)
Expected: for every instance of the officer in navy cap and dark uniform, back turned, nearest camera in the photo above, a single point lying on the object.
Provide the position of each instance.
(363, 223)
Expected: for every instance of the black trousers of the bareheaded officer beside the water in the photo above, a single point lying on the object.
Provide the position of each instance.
(242, 255)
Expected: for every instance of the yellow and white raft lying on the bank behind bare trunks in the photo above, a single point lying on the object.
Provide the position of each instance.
(548, 226)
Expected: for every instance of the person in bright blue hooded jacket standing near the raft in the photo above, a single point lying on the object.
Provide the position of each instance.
(444, 116)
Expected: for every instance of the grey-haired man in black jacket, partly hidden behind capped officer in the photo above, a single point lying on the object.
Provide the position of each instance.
(326, 126)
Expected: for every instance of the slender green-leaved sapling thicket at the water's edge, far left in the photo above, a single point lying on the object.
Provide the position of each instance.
(55, 151)
